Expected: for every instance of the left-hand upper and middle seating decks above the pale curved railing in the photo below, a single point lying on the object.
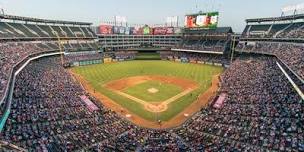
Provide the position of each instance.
(21, 40)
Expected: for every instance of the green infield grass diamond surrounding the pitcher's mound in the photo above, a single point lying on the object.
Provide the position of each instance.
(165, 91)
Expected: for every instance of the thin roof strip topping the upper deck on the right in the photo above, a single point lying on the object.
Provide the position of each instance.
(281, 18)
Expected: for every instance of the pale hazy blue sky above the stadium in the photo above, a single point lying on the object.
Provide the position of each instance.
(232, 12)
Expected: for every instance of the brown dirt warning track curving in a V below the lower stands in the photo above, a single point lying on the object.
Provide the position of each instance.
(174, 122)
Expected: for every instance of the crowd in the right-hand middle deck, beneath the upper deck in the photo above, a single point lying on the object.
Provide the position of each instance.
(290, 53)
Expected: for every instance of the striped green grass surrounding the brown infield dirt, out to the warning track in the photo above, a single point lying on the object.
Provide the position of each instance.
(99, 74)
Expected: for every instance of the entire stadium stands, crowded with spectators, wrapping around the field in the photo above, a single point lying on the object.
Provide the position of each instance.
(43, 108)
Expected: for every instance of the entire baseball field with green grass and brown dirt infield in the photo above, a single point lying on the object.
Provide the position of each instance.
(152, 91)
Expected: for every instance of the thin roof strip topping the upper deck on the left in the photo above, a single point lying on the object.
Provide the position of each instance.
(30, 19)
